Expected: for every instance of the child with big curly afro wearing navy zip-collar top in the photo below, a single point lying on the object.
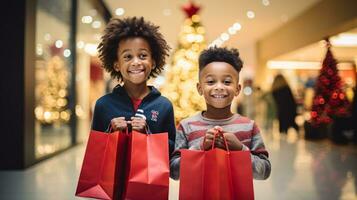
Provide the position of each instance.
(132, 50)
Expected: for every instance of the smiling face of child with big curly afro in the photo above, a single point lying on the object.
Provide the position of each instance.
(134, 60)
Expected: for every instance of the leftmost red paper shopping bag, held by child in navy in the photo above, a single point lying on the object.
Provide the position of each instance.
(102, 165)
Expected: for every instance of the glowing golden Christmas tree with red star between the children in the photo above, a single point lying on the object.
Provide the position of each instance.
(182, 77)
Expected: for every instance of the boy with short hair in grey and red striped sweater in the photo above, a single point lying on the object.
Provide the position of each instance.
(219, 83)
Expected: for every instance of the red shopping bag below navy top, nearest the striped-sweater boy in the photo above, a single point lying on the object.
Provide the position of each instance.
(148, 173)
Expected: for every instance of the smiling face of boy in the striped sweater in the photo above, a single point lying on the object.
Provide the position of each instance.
(219, 84)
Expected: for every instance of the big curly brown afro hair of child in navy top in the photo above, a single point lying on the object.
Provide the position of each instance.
(121, 29)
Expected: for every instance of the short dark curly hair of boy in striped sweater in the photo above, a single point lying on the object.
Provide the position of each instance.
(220, 54)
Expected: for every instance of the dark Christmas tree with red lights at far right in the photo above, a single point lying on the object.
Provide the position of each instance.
(330, 100)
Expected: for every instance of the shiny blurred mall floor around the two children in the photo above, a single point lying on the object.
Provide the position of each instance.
(300, 170)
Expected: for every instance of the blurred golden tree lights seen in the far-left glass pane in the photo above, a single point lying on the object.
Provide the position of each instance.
(52, 89)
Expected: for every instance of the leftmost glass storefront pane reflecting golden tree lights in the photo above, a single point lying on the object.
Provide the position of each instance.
(52, 77)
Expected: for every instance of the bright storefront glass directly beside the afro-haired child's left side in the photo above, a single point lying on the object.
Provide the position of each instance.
(90, 79)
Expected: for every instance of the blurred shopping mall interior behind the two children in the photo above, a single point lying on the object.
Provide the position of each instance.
(52, 77)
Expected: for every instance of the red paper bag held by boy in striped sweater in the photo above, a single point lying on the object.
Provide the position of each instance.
(216, 175)
